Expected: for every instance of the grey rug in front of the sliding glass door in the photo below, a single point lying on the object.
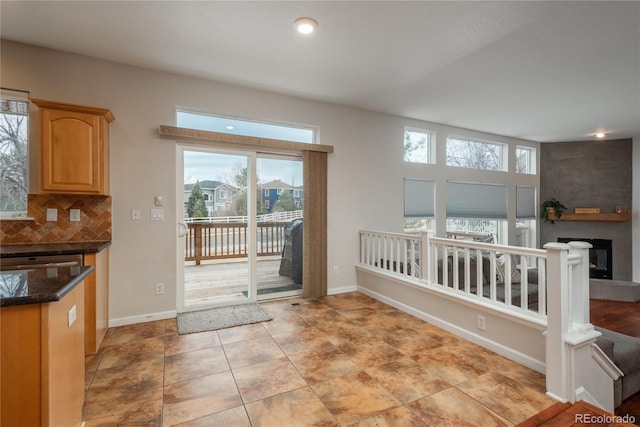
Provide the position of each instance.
(220, 318)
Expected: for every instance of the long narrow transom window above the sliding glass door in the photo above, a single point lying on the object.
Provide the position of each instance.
(201, 121)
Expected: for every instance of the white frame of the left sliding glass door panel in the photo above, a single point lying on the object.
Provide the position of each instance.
(251, 225)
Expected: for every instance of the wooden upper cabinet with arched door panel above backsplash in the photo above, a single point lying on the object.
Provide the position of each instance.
(73, 148)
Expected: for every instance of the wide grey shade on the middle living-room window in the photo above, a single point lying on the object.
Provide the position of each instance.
(475, 200)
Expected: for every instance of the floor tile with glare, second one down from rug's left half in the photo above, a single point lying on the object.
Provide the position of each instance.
(194, 364)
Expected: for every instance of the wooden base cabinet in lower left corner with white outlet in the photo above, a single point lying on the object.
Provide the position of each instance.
(43, 363)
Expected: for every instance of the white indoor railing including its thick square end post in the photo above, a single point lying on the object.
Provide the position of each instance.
(556, 296)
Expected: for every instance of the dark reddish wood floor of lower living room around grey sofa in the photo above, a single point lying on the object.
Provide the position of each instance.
(622, 317)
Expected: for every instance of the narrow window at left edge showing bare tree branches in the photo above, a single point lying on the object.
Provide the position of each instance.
(14, 160)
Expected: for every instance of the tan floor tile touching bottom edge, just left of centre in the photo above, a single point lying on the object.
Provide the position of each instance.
(299, 407)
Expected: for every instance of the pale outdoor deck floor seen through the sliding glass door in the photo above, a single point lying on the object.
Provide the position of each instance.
(229, 278)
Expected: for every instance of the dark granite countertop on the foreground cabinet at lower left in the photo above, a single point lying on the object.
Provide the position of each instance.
(41, 285)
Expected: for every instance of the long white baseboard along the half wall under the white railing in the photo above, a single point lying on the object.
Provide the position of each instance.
(523, 359)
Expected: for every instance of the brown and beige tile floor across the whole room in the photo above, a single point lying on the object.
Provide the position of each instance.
(342, 360)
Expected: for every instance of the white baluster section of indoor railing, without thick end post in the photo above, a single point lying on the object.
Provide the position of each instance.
(421, 258)
